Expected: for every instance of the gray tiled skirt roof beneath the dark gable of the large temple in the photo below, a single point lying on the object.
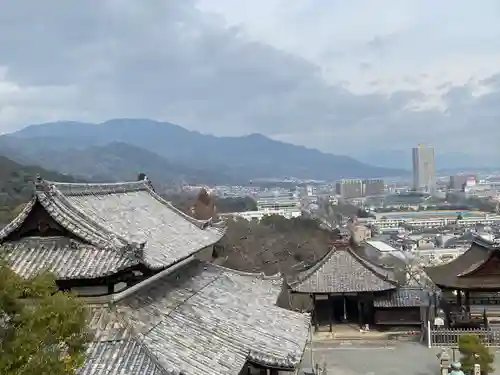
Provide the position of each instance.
(65, 257)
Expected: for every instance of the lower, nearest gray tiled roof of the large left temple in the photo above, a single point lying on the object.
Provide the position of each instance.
(199, 320)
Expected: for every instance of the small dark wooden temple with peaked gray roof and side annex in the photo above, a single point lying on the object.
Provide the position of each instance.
(344, 287)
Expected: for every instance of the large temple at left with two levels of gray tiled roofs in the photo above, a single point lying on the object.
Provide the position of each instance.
(156, 305)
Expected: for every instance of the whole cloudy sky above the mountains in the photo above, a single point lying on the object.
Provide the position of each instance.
(332, 74)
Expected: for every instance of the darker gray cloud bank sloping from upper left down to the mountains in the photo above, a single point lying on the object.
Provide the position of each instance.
(168, 60)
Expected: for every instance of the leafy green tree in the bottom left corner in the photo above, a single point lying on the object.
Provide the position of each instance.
(42, 331)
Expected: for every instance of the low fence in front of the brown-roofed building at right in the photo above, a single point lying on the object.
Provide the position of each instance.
(447, 337)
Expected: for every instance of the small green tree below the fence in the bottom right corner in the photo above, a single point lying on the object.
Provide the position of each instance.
(474, 351)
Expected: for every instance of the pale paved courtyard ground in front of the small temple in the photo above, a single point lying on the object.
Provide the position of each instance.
(377, 358)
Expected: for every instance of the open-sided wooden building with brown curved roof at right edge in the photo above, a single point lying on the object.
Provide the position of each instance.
(470, 284)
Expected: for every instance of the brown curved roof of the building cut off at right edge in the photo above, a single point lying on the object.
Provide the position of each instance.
(464, 272)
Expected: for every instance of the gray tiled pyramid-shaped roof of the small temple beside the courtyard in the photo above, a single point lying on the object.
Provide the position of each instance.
(343, 271)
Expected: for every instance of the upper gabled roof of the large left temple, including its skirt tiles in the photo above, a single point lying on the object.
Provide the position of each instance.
(119, 225)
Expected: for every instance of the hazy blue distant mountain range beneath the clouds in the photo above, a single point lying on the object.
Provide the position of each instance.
(119, 149)
